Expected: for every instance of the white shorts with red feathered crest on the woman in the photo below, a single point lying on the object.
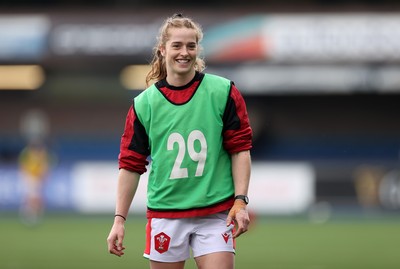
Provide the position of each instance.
(170, 240)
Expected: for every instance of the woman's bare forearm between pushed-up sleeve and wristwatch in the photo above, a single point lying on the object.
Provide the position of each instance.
(241, 169)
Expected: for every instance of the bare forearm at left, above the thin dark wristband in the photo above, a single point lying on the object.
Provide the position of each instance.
(127, 185)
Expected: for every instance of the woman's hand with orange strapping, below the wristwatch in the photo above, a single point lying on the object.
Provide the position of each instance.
(240, 216)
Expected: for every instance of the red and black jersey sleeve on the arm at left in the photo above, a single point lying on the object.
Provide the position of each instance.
(134, 147)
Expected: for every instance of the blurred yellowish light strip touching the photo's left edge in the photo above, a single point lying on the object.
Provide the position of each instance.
(21, 77)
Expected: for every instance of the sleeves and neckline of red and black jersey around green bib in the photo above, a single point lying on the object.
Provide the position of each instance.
(237, 133)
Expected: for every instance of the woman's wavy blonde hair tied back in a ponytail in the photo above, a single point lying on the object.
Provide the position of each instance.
(158, 69)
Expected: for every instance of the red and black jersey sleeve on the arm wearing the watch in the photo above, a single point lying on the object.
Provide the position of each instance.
(237, 132)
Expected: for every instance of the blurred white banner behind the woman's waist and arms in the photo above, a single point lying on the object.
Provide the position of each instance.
(275, 188)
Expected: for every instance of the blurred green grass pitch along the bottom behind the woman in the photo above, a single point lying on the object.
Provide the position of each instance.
(80, 242)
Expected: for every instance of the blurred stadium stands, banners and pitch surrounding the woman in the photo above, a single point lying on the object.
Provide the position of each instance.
(322, 83)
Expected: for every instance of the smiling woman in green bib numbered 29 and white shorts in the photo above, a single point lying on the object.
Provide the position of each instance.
(196, 129)
